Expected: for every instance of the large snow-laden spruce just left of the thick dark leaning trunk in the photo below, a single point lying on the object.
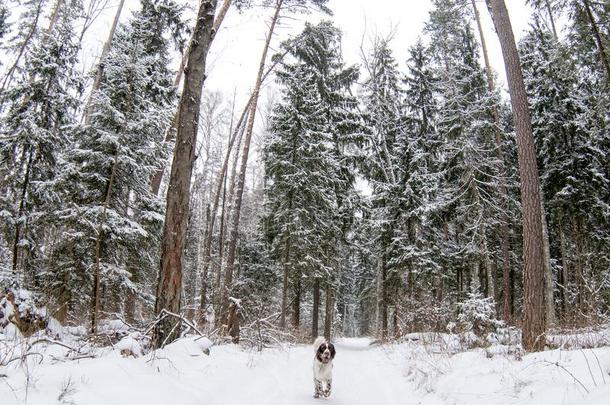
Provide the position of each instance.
(114, 220)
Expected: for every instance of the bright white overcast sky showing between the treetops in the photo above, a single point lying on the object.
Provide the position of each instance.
(235, 54)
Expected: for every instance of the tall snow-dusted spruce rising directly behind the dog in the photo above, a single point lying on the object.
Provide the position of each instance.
(305, 163)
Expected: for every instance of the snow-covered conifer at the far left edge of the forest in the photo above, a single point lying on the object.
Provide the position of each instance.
(40, 107)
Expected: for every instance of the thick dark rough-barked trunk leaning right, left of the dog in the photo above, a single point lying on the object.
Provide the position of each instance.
(169, 288)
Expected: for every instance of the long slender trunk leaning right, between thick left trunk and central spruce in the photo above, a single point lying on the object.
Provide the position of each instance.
(239, 189)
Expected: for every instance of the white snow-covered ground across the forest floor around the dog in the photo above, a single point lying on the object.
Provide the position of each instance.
(414, 372)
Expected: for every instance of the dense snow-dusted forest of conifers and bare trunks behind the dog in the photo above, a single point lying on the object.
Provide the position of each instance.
(411, 192)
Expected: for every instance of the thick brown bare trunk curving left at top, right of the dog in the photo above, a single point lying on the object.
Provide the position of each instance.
(534, 323)
